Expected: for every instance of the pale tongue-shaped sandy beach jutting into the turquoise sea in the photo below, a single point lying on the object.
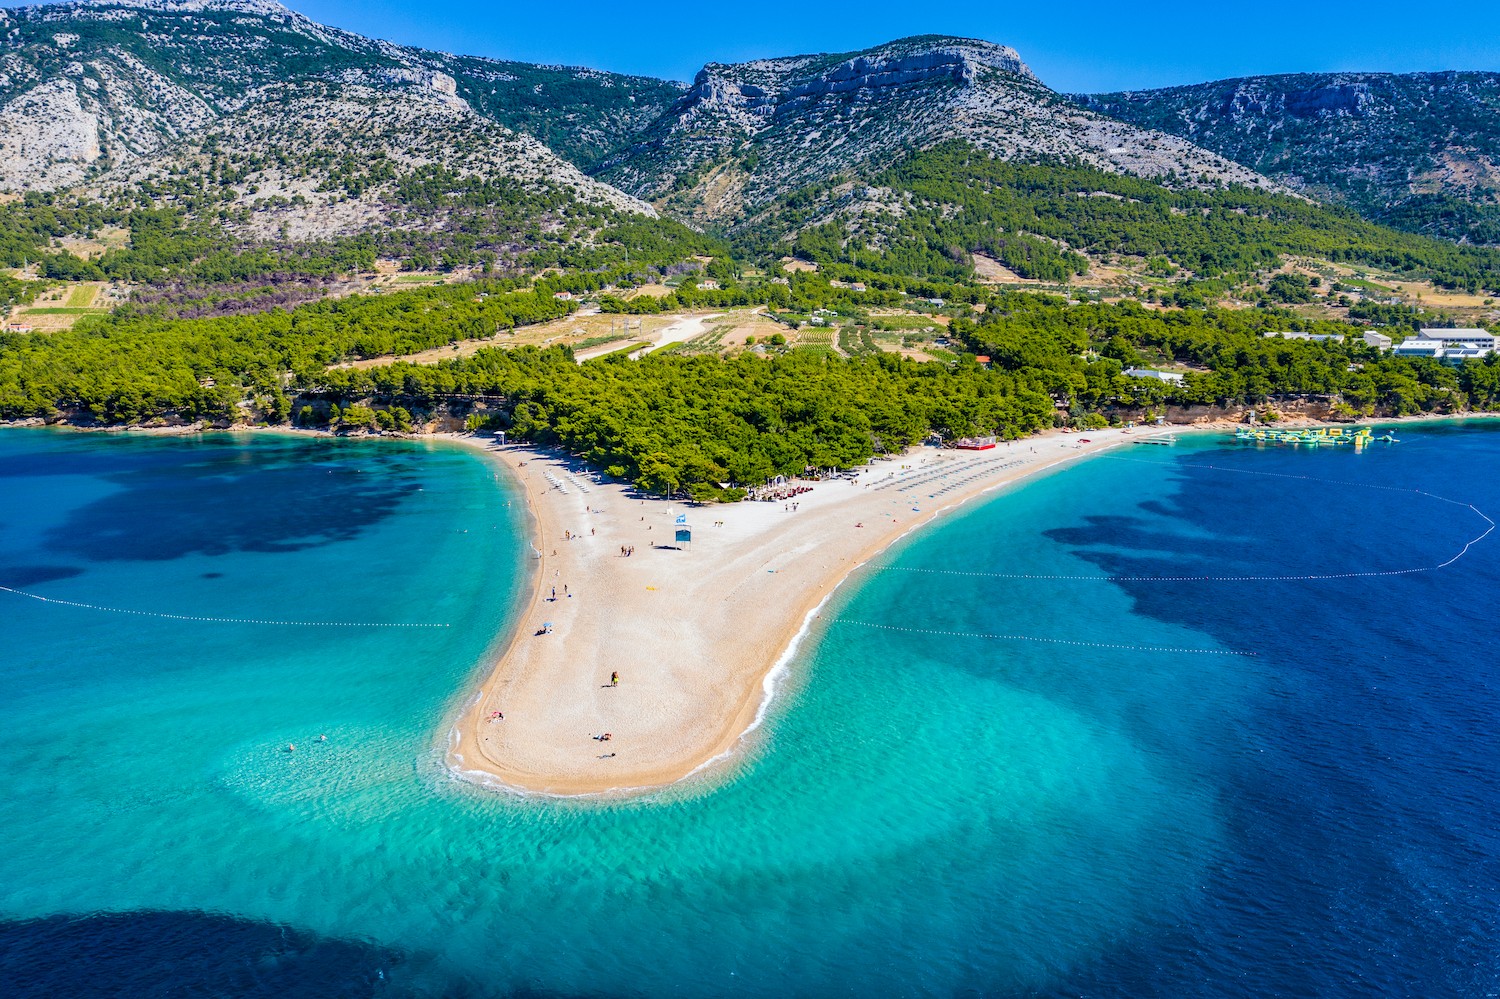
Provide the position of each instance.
(692, 631)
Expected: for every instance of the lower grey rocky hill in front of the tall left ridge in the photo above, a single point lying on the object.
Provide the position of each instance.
(322, 161)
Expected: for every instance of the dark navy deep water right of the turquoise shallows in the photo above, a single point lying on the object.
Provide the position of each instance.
(1364, 860)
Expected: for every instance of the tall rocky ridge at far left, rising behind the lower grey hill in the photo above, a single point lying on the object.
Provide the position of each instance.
(106, 83)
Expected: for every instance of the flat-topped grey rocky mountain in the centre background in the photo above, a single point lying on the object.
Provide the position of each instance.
(749, 133)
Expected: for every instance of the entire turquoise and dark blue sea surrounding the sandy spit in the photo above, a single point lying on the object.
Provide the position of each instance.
(1172, 722)
